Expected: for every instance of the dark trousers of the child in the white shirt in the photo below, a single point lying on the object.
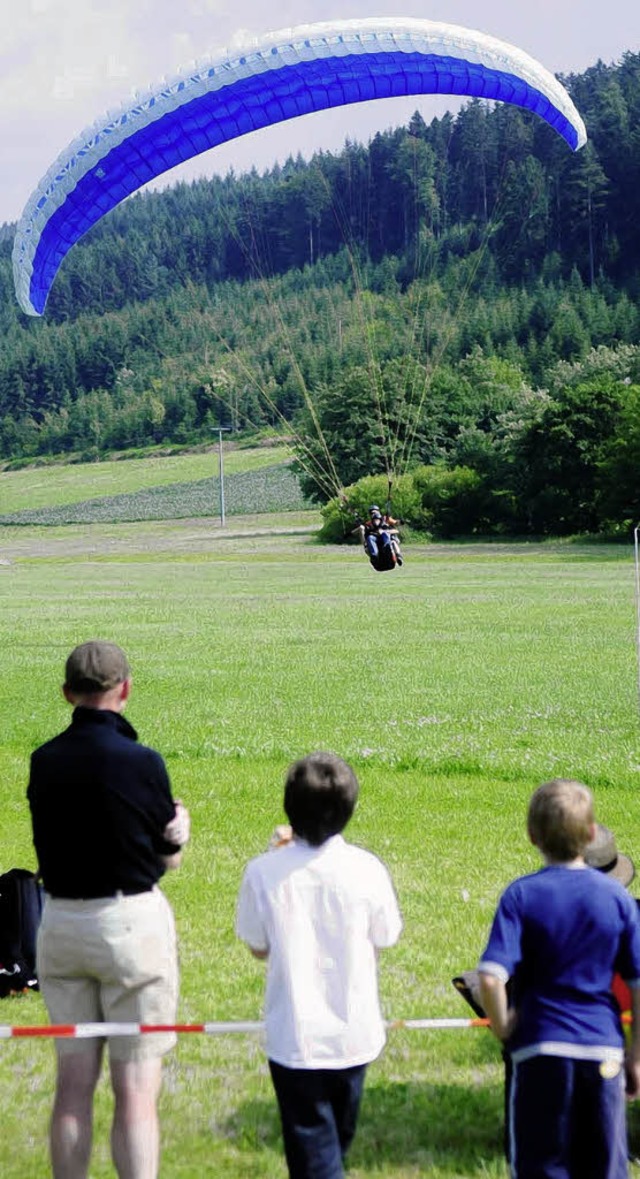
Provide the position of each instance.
(319, 1114)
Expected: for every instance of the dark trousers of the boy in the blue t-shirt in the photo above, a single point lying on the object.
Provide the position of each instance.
(568, 1121)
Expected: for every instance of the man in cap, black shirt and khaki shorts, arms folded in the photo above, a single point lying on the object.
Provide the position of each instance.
(105, 829)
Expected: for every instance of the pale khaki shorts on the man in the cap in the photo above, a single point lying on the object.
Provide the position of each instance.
(113, 959)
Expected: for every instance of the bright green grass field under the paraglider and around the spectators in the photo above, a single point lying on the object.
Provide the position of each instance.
(454, 687)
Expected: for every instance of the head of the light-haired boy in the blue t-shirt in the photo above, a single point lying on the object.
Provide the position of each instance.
(560, 820)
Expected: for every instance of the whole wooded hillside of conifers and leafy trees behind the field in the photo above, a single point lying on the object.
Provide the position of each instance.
(454, 307)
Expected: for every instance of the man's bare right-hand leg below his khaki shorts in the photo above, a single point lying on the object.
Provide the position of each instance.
(135, 1135)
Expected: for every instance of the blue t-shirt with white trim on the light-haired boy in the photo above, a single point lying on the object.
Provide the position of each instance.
(563, 933)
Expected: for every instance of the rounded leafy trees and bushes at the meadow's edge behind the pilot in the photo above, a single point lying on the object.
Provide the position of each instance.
(491, 457)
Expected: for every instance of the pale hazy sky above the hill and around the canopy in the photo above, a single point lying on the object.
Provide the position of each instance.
(65, 63)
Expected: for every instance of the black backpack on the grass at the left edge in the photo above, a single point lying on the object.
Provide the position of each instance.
(21, 912)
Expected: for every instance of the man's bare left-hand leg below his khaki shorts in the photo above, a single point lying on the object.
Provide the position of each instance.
(72, 1118)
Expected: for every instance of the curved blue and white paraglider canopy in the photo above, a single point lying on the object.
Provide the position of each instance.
(286, 75)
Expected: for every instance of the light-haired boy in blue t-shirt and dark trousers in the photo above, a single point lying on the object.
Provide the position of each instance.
(562, 934)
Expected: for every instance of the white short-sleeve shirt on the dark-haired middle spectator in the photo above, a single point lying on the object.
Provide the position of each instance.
(321, 913)
